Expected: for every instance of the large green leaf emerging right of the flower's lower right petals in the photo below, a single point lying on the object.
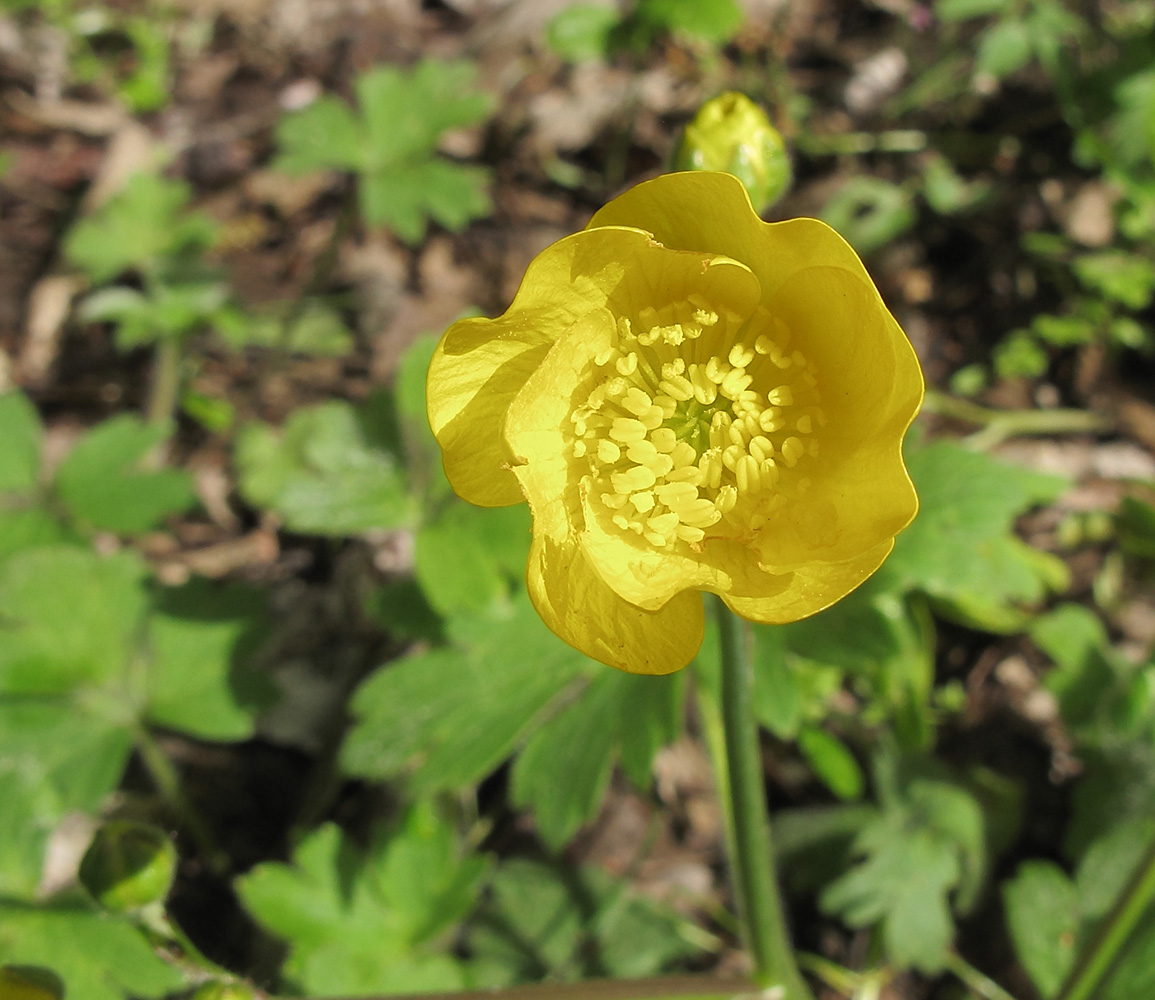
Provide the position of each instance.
(962, 544)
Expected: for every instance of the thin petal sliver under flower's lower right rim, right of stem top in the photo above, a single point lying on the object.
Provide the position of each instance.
(809, 591)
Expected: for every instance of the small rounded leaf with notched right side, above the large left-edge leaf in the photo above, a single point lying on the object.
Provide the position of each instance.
(107, 482)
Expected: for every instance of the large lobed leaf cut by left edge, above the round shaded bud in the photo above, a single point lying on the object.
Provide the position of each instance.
(88, 654)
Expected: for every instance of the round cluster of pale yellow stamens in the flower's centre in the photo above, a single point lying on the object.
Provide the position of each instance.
(690, 421)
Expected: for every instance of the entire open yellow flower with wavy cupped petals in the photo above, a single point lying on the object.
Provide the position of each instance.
(690, 399)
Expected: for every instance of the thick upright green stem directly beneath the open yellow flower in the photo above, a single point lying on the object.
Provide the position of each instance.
(752, 857)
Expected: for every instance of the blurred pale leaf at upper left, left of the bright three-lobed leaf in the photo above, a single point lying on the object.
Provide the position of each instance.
(138, 230)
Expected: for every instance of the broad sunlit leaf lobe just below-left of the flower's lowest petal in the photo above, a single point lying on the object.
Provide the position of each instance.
(449, 717)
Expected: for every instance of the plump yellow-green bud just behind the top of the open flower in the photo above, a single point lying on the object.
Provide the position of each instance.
(732, 133)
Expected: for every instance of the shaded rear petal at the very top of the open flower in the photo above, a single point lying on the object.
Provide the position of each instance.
(710, 212)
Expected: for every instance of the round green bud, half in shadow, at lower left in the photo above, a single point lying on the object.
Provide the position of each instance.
(129, 865)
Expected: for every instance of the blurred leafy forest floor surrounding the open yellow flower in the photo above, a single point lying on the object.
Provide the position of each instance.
(279, 700)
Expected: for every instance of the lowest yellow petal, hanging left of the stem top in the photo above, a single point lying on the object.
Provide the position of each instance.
(577, 605)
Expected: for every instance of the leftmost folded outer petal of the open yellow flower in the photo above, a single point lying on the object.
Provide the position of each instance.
(480, 365)
